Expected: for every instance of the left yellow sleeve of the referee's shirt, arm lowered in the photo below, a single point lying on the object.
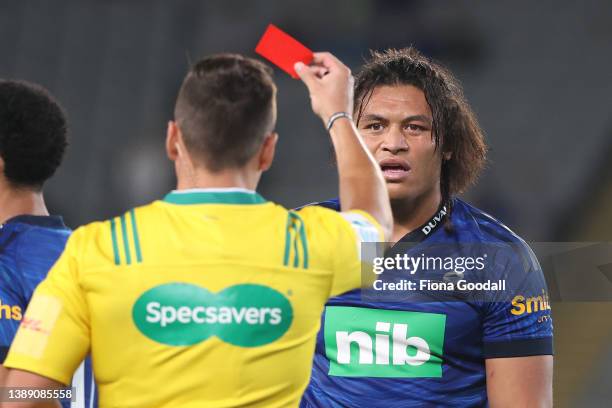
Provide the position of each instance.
(53, 337)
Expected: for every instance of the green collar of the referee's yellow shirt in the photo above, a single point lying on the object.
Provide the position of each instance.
(214, 196)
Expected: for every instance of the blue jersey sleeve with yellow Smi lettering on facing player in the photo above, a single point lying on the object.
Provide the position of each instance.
(518, 322)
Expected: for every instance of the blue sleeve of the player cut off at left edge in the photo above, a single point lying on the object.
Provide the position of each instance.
(12, 305)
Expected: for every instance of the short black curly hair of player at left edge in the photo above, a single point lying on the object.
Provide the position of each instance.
(33, 133)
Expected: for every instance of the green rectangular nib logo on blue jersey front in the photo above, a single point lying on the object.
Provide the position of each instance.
(363, 342)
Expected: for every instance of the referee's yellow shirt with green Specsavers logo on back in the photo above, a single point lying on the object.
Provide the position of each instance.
(209, 298)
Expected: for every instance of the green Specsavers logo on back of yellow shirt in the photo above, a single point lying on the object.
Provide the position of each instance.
(181, 314)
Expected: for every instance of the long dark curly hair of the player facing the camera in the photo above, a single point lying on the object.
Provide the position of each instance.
(455, 128)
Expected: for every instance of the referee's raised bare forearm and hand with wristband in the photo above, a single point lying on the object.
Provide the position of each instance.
(362, 185)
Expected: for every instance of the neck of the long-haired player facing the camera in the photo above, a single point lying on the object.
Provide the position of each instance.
(408, 215)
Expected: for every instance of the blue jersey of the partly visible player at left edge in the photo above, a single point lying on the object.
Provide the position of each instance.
(29, 246)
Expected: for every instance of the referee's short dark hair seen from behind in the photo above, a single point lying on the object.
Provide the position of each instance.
(225, 107)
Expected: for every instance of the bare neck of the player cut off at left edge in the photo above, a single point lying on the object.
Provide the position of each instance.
(20, 201)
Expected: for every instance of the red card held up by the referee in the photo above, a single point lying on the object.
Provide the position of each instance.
(283, 50)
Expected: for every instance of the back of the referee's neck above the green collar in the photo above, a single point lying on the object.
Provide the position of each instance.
(223, 179)
